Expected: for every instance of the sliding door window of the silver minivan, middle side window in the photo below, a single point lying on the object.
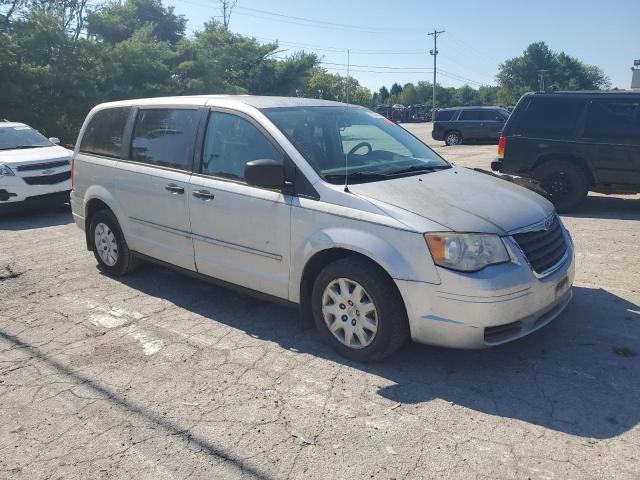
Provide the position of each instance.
(165, 137)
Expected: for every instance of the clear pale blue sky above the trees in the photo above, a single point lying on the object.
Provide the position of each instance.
(388, 41)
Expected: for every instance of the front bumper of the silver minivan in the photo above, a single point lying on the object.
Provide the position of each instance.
(496, 305)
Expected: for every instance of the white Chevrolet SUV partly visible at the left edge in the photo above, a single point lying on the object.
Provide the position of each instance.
(33, 169)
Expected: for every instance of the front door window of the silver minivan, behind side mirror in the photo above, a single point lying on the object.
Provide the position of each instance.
(232, 141)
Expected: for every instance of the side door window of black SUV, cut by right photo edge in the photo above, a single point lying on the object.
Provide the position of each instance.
(615, 119)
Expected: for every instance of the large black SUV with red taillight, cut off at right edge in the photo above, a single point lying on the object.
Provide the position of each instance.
(573, 143)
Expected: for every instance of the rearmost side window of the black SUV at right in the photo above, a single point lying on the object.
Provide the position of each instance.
(550, 116)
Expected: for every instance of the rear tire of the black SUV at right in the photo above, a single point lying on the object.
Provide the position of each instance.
(565, 182)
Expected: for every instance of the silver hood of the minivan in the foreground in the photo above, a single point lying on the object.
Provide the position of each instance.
(461, 199)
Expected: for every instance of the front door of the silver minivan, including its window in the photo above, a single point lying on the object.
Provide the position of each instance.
(241, 233)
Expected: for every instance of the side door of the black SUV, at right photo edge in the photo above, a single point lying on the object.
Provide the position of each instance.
(612, 127)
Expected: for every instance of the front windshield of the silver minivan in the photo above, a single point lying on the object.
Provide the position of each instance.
(356, 141)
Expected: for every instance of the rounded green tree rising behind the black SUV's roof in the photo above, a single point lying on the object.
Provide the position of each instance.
(520, 74)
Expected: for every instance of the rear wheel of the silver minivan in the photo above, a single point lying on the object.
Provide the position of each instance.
(115, 258)
